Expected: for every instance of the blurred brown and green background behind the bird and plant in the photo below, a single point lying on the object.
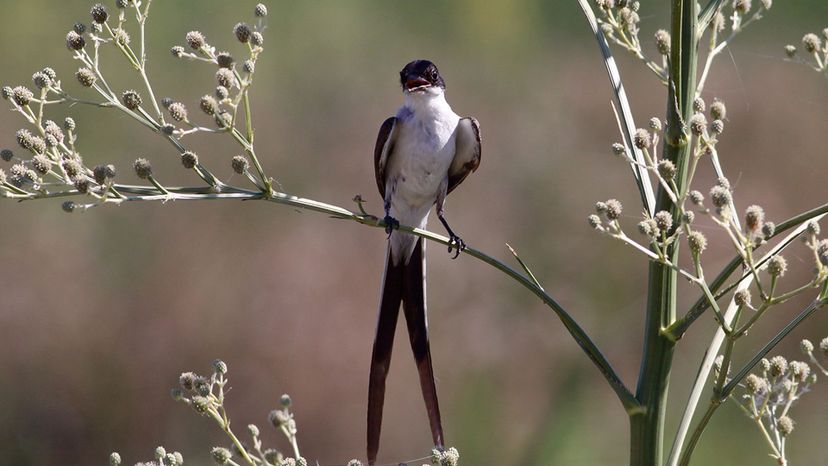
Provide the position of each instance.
(101, 311)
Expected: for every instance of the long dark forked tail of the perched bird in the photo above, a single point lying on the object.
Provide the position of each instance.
(402, 283)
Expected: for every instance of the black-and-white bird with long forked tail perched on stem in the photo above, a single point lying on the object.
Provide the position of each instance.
(421, 155)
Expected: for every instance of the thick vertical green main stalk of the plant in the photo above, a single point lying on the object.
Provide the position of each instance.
(647, 429)
